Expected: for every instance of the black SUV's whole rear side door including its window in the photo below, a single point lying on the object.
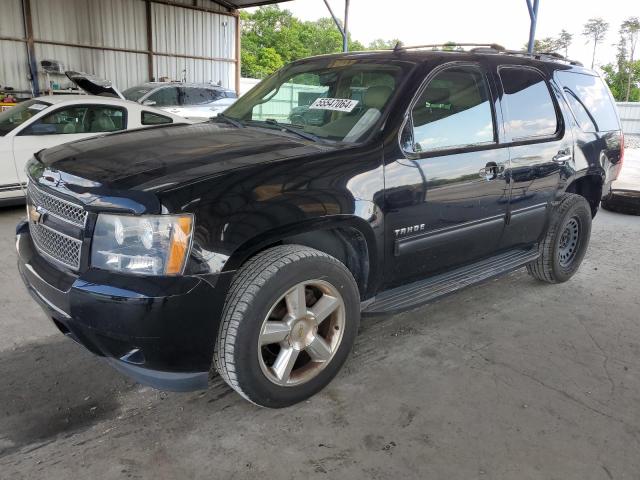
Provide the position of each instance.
(540, 151)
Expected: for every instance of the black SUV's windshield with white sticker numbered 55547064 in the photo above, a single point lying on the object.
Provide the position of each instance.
(332, 99)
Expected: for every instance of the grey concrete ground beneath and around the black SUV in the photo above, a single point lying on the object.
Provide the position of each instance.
(512, 379)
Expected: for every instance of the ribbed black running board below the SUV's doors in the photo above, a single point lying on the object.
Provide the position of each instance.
(425, 291)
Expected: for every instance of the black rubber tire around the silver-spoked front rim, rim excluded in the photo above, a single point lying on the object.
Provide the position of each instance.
(257, 287)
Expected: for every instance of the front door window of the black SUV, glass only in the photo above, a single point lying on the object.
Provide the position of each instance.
(453, 111)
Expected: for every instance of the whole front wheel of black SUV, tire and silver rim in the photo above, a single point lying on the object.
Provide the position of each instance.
(289, 323)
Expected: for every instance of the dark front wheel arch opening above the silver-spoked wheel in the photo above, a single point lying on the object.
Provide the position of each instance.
(348, 238)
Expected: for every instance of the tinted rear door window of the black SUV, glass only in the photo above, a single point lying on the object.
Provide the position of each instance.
(530, 111)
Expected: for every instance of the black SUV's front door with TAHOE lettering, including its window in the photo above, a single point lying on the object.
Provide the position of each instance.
(446, 196)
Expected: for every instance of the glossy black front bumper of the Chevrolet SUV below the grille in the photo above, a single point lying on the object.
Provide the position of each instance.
(158, 330)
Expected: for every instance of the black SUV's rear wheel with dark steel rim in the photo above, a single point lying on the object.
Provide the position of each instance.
(550, 267)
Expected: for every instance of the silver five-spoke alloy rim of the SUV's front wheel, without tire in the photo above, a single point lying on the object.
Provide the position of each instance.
(301, 333)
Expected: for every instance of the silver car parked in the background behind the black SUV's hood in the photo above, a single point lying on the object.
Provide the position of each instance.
(190, 100)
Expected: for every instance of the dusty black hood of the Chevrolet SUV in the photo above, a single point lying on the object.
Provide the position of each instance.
(161, 158)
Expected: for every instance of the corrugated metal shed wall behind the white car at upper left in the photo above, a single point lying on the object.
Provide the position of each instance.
(89, 25)
